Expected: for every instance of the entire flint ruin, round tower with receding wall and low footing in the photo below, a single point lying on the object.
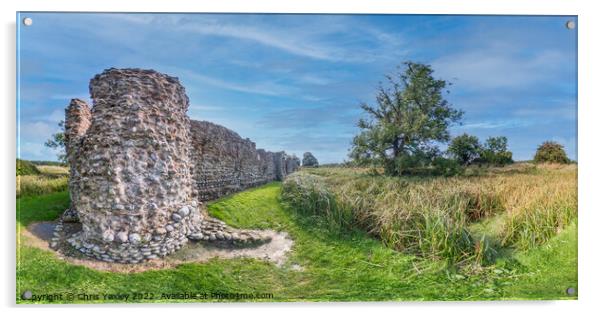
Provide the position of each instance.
(139, 169)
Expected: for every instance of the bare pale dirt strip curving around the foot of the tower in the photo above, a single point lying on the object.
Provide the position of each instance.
(39, 234)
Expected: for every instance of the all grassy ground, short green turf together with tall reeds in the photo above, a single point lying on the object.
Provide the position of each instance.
(340, 259)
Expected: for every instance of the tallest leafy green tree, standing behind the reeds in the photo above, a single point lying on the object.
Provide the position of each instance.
(409, 118)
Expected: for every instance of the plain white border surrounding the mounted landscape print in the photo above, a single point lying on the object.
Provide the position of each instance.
(589, 128)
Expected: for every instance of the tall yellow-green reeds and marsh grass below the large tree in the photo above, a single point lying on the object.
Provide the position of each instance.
(432, 217)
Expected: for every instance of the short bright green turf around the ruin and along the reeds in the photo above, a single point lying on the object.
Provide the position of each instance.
(335, 265)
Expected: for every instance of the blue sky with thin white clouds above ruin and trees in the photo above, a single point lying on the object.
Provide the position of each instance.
(294, 82)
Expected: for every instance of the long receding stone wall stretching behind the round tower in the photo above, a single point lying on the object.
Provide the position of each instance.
(225, 163)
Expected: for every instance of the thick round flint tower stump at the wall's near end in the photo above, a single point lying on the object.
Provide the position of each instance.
(132, 187)
